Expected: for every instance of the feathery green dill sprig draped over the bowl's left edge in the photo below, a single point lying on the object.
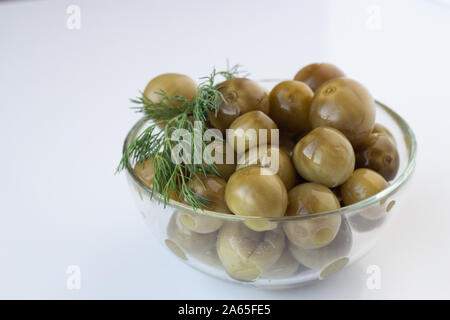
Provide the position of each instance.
(171, 180)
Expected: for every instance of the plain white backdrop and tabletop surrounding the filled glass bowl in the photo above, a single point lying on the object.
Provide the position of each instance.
(64, 113)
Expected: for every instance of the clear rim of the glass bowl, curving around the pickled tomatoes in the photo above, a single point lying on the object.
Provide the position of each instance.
(390, 190)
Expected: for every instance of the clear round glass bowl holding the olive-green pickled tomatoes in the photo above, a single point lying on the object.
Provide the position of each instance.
(268, 259)
